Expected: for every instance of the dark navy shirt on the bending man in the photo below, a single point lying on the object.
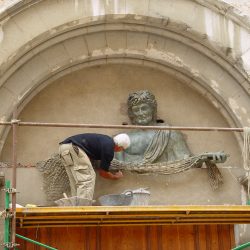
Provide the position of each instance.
(96, 146)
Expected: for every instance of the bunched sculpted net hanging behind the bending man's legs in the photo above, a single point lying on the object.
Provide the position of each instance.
(55, 178)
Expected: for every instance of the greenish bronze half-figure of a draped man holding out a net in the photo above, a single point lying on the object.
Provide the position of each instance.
(161, 151)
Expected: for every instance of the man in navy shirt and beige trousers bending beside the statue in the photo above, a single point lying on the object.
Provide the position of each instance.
(77, 150)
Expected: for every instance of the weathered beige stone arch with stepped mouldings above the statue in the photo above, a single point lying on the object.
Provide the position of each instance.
(148, 35)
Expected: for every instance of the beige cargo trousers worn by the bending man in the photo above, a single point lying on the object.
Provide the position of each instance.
(79, 170)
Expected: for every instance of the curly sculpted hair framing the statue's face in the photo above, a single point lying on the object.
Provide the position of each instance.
(141, 96)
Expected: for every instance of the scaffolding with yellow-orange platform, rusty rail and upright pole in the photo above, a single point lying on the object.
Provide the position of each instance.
(111, 215)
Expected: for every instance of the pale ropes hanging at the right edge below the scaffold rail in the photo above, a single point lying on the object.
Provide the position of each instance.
(246, 155)
